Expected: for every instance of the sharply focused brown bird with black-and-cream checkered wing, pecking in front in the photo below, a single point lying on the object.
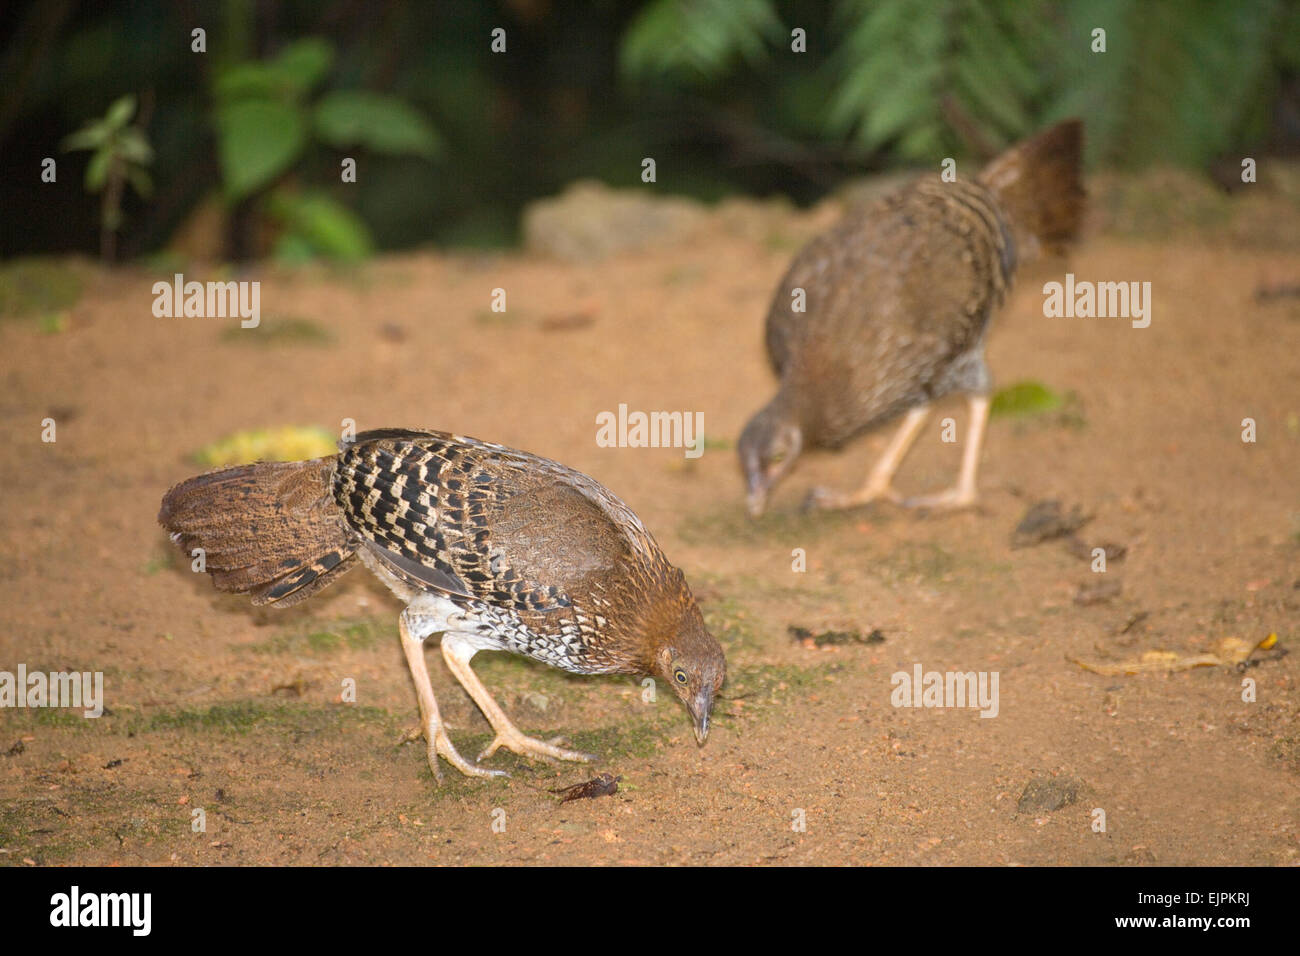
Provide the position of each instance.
(493, 548)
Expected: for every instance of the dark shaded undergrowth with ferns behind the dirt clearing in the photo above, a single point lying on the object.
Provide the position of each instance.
(709, 88)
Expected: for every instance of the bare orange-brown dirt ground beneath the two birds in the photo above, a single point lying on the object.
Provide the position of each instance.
(235, 711)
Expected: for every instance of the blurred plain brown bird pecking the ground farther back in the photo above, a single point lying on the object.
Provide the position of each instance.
(899, 300)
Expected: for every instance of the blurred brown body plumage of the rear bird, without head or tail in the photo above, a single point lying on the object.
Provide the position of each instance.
(899, 301)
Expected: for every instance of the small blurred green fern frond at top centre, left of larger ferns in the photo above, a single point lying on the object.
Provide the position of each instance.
(694, 41)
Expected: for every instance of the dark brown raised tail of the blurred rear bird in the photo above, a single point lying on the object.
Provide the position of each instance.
(1038, 184)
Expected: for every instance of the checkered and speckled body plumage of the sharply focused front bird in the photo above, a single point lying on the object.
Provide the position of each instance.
(532, 551)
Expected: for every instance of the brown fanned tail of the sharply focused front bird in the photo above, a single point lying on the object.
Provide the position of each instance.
(271, 530)
